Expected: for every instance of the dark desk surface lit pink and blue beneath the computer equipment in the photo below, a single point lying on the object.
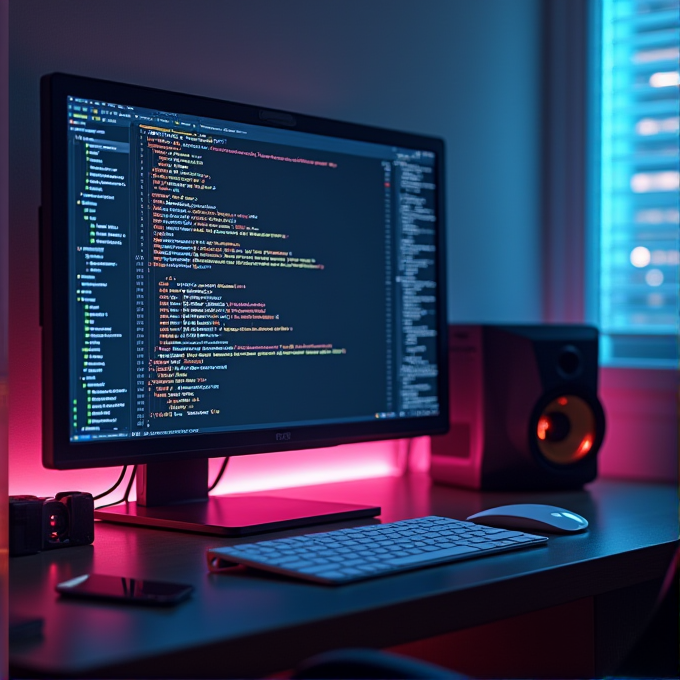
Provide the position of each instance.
(250, 624)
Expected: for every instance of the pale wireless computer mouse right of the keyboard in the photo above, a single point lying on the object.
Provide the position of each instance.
(531, 516)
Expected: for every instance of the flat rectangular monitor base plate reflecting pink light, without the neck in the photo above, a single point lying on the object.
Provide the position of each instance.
(236, 515)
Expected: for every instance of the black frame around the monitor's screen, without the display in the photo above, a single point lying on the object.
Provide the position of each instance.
(58, 451)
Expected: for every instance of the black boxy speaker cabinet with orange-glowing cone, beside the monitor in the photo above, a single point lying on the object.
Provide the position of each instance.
(524, 410)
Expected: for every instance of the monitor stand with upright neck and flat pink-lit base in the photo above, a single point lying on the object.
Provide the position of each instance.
(175, 496)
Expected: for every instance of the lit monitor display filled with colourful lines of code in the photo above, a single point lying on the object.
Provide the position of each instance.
(225, 281)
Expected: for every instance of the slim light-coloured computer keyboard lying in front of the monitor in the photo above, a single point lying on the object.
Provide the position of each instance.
(347, 555)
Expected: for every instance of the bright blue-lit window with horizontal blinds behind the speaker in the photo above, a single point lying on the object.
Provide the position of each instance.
(636, 221)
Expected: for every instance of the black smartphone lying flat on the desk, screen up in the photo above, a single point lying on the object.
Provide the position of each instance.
(123, 589)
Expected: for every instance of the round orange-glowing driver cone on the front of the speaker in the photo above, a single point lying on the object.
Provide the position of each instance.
(566, 430)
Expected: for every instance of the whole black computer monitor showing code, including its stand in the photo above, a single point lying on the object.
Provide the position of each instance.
(221, 279)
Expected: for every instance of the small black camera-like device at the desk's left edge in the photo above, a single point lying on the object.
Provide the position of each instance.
(37, 524)
